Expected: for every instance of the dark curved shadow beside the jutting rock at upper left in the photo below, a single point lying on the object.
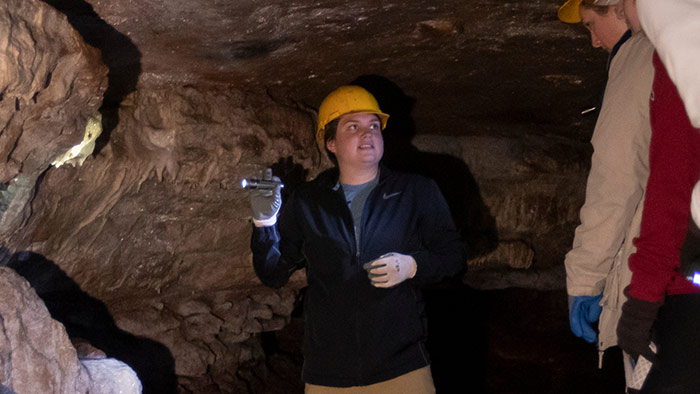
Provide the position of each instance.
(121, 56)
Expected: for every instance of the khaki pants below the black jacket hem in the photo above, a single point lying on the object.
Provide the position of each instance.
(419, 381)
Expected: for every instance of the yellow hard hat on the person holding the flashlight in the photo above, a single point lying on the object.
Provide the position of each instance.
(346, 100)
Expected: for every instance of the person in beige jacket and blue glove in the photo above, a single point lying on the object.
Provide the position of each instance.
(596, 267)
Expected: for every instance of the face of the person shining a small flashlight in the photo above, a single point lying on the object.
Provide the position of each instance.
(358, 141)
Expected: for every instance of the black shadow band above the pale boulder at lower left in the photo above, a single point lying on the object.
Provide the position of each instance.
(88, 319)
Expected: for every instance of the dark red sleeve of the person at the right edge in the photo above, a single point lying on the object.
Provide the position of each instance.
(675, 167)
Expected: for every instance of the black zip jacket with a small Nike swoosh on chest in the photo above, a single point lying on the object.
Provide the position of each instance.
(357, 334)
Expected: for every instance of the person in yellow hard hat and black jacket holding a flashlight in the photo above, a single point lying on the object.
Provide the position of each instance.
(369, 239)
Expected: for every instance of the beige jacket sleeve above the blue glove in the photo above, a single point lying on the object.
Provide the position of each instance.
(618, 174)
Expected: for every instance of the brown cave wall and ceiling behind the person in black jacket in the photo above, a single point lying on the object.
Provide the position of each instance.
(142, 252)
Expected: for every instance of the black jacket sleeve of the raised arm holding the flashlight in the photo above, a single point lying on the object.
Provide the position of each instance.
(272, 267)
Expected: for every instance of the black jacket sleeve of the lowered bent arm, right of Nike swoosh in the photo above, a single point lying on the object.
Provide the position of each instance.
(443, 253)
